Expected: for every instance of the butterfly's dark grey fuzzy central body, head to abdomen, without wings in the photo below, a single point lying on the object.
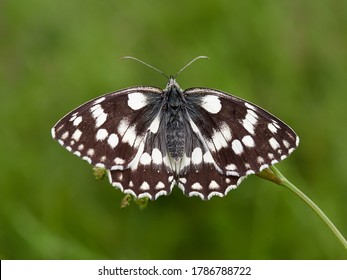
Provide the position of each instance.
(174, 109)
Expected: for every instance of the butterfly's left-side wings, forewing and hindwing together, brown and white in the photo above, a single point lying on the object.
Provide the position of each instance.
(118, 132)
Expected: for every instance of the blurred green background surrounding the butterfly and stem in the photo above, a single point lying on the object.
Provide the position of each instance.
(290, 57)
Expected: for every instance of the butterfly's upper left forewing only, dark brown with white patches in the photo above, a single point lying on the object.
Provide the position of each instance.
(108, 130)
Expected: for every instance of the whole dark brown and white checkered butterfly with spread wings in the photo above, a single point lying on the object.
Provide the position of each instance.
(204, 141)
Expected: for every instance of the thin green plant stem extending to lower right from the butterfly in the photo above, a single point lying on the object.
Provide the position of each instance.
(286, 183)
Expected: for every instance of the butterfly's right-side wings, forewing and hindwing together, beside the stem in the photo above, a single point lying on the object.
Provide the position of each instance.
(237, 138)
